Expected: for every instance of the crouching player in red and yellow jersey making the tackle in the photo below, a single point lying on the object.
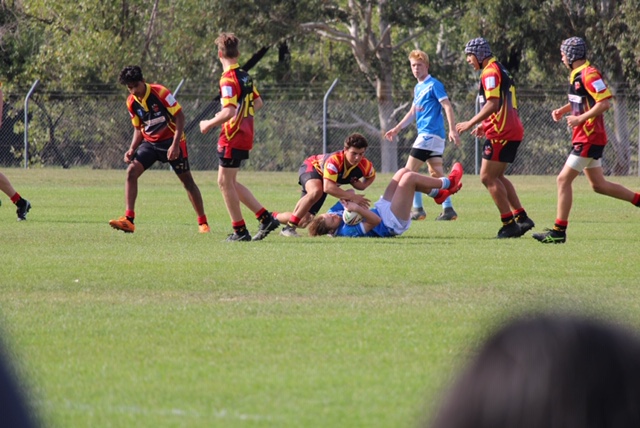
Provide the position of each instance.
(323, 174)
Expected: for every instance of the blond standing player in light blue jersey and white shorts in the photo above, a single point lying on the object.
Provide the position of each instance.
(429, 100)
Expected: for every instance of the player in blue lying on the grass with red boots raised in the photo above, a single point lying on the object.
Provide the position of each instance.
(391, 215)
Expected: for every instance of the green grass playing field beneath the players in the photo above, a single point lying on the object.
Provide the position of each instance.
(166, 327)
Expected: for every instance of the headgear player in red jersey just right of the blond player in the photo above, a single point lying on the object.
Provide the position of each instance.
(501, 126)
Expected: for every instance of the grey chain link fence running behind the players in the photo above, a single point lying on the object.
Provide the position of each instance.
(94, 131)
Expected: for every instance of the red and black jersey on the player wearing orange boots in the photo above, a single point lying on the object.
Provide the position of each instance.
(154, 113)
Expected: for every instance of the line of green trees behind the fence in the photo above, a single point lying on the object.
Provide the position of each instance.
(81, 45)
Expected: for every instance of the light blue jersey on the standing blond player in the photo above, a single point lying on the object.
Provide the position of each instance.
(427, 96)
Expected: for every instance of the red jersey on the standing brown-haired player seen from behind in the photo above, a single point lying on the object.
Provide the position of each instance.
(237, 89)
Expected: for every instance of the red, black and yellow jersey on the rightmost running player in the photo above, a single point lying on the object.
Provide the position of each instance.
(586, 88)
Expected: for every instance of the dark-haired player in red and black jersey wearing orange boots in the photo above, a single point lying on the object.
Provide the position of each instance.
(158, 124)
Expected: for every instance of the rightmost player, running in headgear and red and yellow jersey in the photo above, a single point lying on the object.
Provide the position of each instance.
(588, 100)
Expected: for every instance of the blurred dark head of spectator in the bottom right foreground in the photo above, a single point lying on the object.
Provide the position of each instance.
(549, 371)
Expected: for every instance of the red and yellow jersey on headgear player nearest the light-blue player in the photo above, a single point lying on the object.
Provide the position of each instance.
(495, 82)
